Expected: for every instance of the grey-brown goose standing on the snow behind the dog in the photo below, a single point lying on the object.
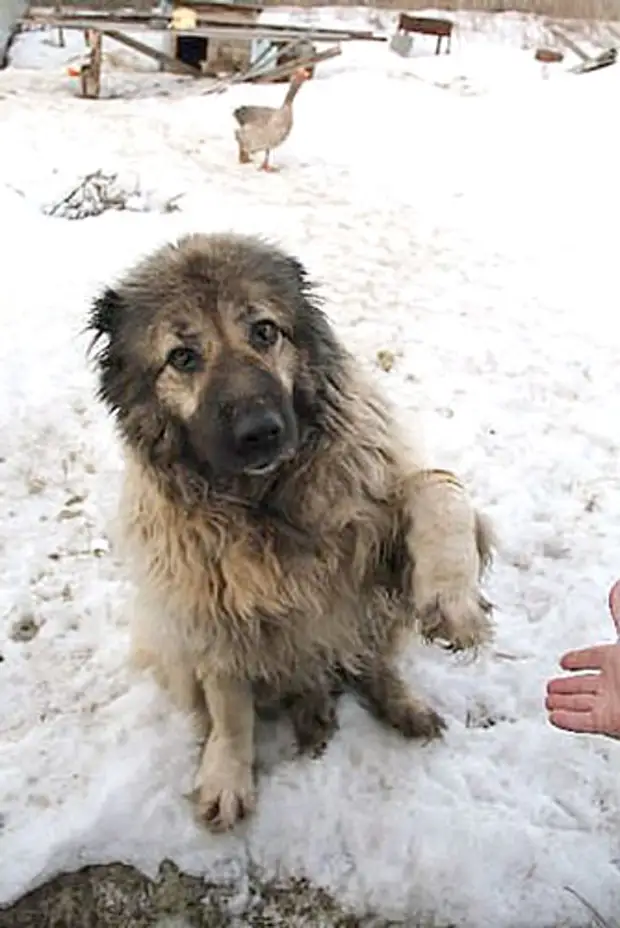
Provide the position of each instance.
(263, 128)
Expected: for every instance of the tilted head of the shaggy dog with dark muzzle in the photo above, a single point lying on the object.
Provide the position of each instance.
(216, 356)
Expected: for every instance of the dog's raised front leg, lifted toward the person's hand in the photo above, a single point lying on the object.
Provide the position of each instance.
(450, 544)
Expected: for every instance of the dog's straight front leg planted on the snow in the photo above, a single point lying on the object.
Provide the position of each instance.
(225, 779)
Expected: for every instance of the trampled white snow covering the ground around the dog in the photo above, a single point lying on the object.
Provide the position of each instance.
(458, 212)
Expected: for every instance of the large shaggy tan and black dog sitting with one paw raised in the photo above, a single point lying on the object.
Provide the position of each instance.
(272, 580)
